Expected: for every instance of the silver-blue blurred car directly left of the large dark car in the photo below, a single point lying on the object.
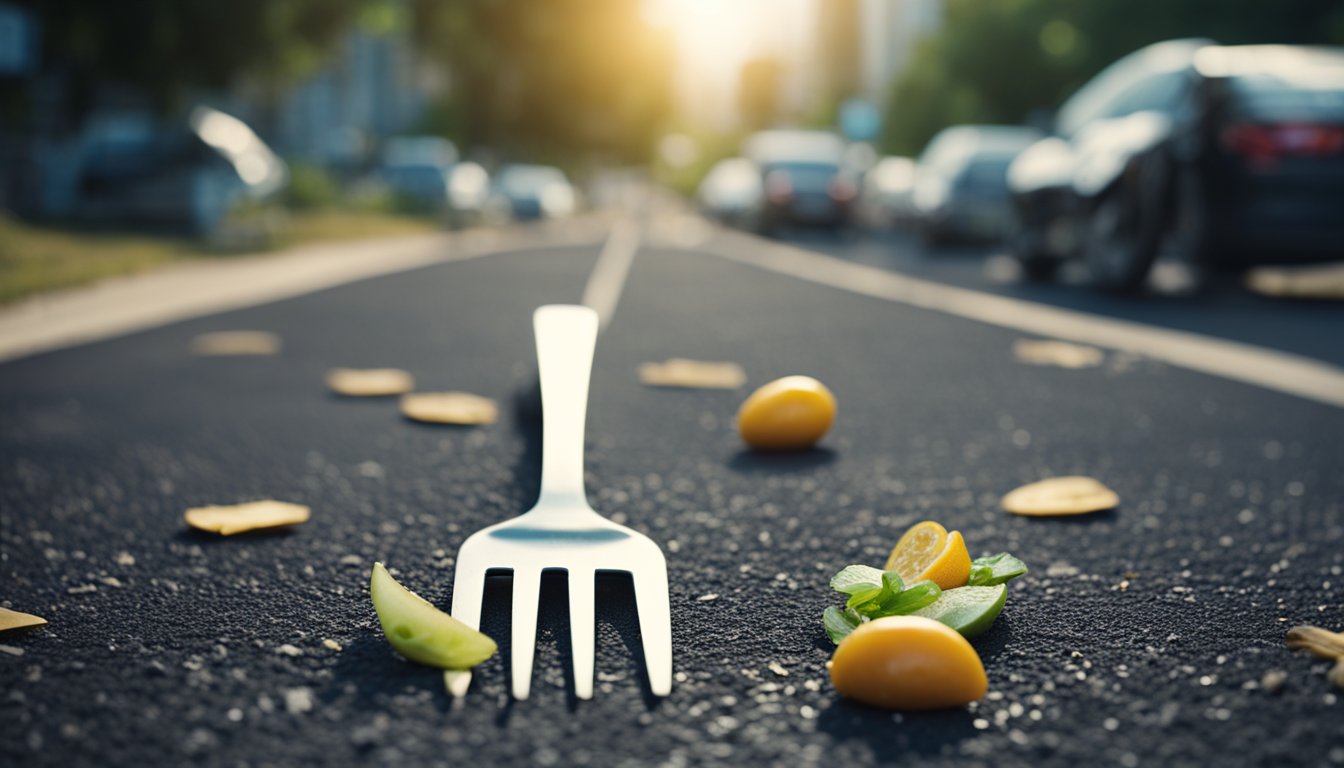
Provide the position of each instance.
(962, 182)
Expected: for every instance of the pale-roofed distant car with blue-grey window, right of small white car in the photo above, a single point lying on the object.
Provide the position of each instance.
(804, 178)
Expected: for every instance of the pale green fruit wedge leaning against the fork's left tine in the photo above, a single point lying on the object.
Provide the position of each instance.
(423, 633)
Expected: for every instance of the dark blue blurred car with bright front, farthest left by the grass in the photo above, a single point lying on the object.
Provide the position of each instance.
(185, 177)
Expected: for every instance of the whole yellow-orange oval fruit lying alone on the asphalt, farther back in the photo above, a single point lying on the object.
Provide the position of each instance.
(787, 415)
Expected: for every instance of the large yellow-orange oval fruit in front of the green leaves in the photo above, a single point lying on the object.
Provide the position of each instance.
(908, 662)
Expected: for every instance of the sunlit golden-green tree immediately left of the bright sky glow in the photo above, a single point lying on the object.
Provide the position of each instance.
(553, 79)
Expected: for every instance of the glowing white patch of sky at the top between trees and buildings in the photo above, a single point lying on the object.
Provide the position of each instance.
(714, 38)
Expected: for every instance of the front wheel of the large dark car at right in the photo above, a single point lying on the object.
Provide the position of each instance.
(1120, 243)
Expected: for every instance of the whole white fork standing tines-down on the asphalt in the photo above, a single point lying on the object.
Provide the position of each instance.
(562, 532)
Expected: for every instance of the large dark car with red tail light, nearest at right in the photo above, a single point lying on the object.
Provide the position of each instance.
(1232, 157)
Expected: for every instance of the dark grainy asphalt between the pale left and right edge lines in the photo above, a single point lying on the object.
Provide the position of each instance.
(1140, 638)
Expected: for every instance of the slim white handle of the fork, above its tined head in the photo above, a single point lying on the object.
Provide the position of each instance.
(565, 340)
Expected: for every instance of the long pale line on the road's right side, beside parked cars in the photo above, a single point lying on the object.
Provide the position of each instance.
(1247, 364)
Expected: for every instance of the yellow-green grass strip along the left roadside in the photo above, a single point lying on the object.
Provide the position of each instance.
(37, 259)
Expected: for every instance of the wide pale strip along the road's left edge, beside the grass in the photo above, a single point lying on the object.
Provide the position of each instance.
(194, 290)
